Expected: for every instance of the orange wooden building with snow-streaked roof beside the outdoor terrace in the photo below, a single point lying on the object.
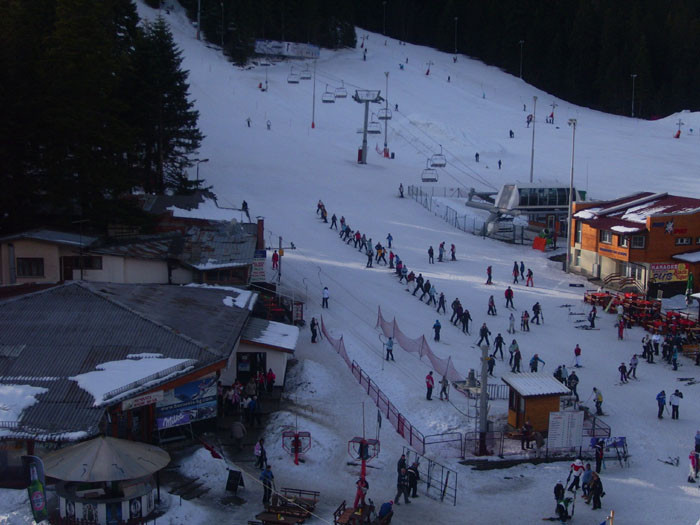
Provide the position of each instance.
(648, 241)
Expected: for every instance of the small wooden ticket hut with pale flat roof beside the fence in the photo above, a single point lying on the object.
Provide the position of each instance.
(533, 396)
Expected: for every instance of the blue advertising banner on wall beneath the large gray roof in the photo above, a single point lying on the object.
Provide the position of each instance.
(193, 401)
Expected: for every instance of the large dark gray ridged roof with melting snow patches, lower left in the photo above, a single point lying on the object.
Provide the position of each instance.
(68, 330)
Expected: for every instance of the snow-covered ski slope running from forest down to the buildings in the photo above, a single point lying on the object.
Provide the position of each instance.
(284, 171)
